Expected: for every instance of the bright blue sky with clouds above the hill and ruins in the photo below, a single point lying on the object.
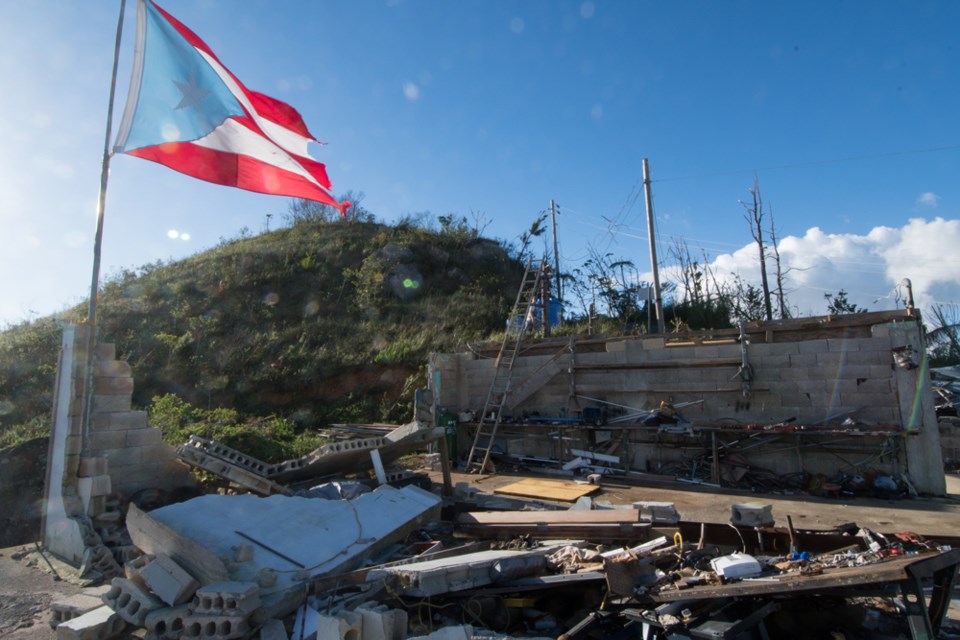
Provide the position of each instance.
(847, 112)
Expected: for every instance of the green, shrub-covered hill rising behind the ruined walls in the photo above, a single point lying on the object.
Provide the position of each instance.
(316, 323)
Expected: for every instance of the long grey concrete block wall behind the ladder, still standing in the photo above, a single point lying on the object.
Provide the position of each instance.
(816, 382)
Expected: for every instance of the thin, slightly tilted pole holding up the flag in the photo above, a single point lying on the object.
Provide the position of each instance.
(98, 238)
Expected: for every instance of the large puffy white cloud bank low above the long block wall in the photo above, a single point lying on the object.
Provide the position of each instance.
(870, 268)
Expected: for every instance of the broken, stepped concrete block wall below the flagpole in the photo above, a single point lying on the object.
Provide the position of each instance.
(119, 456)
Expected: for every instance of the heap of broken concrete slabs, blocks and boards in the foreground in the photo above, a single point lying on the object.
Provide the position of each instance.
(342, 561)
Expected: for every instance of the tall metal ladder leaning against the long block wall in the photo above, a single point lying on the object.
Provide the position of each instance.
(524, 310)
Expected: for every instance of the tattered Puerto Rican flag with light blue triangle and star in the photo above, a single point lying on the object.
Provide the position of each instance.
(187, 111)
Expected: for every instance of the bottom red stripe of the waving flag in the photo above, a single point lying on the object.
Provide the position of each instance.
(233, 170)
